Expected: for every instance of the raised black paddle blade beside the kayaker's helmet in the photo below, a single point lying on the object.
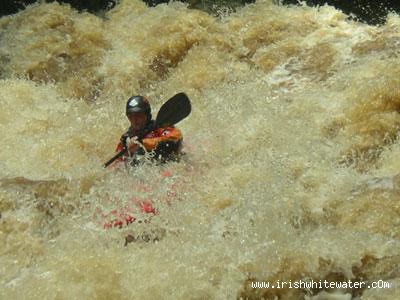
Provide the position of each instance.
(174, 110)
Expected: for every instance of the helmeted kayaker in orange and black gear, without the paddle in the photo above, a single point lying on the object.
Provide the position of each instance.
(143, 137)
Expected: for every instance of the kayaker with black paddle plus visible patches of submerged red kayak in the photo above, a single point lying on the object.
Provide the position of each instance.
(158, 137)
